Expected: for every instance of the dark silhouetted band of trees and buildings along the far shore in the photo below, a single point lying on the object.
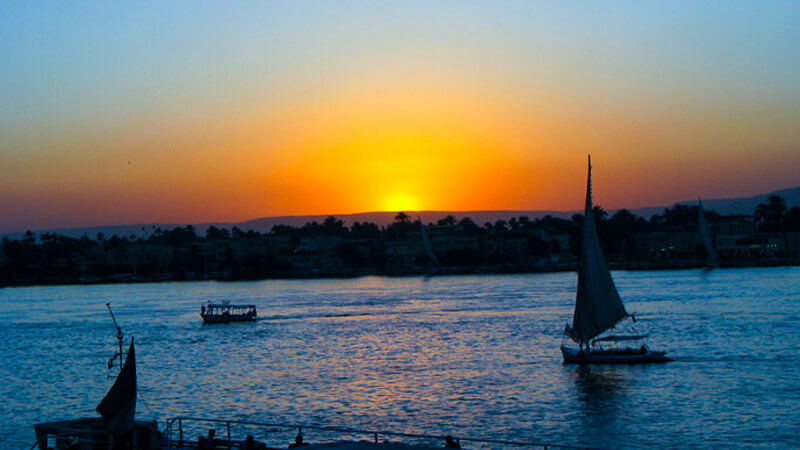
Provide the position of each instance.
(672, 239)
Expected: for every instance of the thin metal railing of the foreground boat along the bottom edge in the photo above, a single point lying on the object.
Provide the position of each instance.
(178, 430)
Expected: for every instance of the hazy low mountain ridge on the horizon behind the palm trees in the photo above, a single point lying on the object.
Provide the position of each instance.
(725, 206)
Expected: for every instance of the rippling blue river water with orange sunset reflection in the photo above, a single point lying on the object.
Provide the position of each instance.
(472, 356)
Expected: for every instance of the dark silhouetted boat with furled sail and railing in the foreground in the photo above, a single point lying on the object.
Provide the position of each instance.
(118, 429)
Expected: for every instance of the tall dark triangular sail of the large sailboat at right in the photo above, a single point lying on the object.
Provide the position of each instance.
(598, 306)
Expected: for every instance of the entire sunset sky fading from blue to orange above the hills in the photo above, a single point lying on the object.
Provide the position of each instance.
(191, 112)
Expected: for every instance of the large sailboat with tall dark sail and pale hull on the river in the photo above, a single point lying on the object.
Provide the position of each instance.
(598, 306)
